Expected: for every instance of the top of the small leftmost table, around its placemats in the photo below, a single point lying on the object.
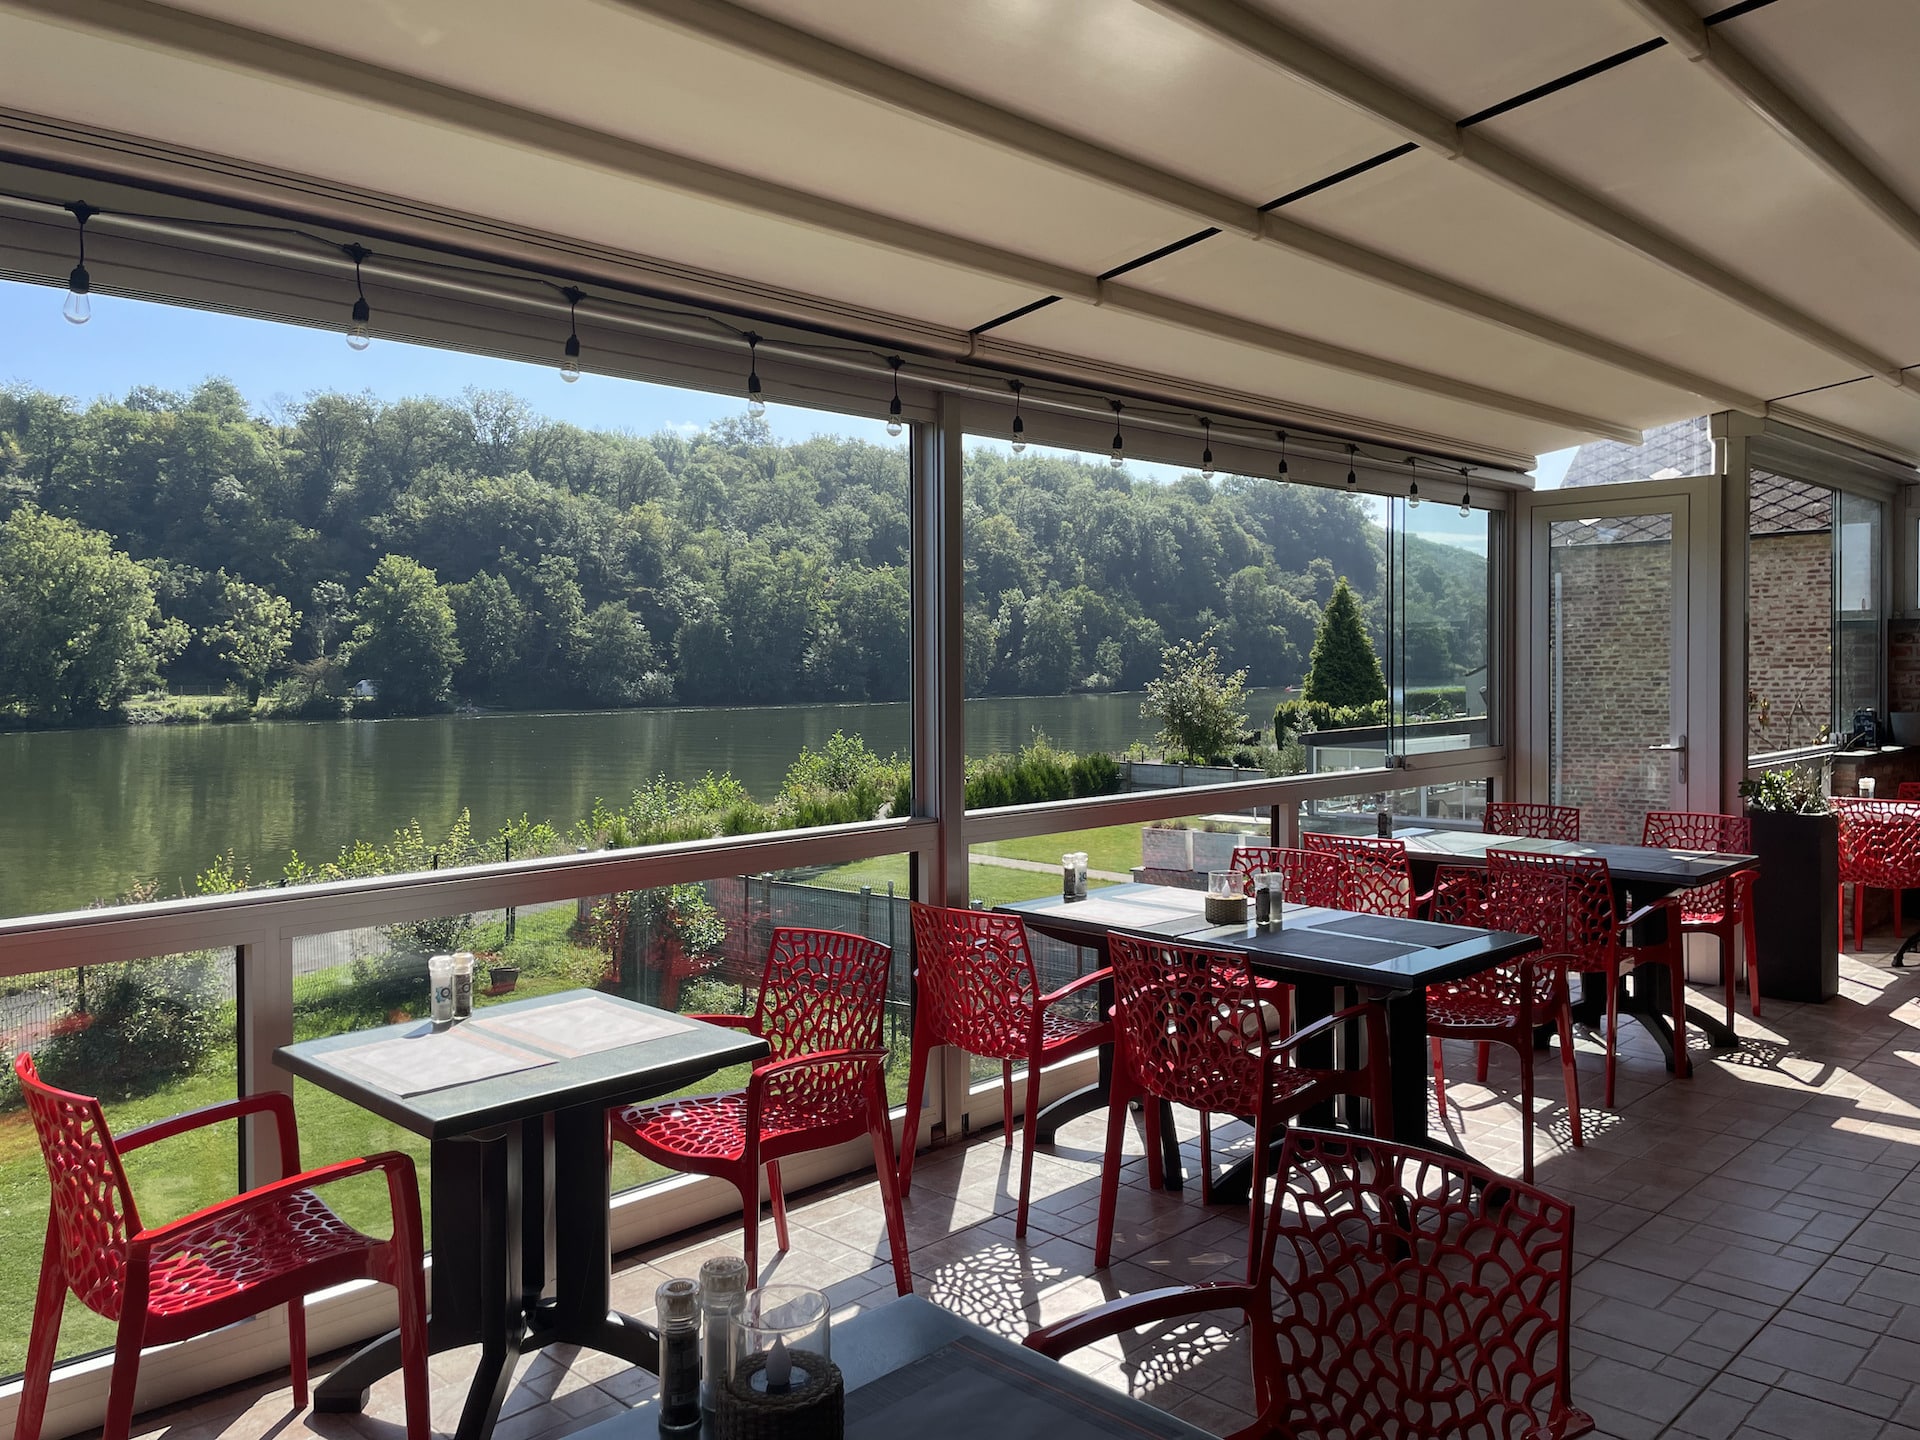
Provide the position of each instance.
(667, 1063)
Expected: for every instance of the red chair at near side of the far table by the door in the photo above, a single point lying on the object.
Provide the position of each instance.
(1568, 901)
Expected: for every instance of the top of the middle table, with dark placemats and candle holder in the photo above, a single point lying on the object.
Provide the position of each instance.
(1341, 946)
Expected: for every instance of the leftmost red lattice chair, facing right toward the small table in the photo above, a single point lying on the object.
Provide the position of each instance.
(272, 1247)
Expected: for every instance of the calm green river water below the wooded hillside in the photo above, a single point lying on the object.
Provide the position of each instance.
(95, 811)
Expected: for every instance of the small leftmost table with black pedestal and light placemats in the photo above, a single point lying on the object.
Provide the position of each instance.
(514, 1105)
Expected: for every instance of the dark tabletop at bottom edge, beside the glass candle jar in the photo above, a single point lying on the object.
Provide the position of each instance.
(965, 1374)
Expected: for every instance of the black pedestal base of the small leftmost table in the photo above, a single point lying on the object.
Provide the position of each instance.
(494, 1193)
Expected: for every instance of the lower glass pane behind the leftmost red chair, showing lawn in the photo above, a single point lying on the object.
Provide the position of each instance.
(151, 1040)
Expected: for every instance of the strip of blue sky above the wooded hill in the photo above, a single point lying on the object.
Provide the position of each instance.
(133, 343)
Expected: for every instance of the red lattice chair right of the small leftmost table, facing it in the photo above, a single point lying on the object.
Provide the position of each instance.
(821, 1013)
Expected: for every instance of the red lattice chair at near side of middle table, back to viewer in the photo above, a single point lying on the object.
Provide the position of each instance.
(1189, 1028)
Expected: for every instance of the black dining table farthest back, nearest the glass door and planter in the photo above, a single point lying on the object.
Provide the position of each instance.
(1641, 875)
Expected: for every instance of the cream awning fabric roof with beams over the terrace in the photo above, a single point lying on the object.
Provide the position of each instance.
(1481, 229)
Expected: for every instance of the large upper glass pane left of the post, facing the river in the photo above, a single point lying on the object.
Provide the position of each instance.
(483, 596)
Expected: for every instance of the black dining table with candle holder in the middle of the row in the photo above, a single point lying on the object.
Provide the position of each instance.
(1318, 951)
